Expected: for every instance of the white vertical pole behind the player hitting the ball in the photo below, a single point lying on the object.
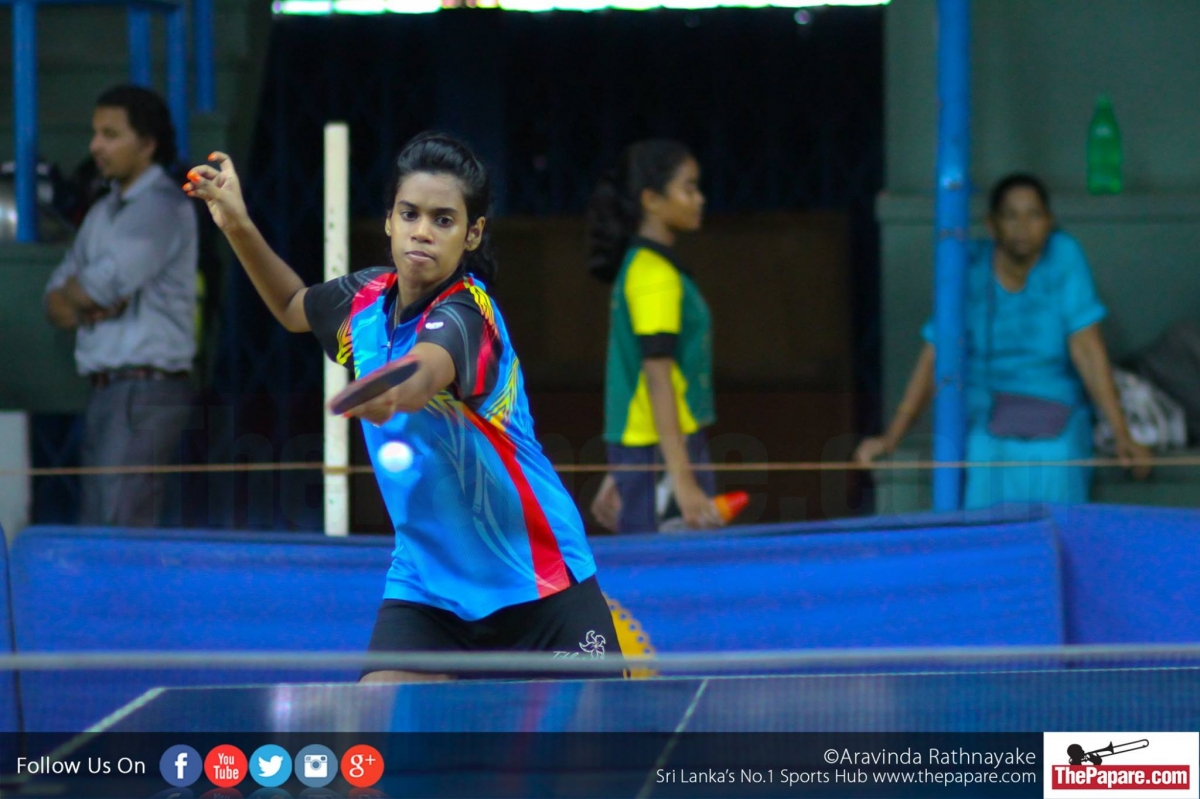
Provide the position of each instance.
(338, 245)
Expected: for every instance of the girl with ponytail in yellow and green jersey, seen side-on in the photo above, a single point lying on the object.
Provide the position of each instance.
(659, 381)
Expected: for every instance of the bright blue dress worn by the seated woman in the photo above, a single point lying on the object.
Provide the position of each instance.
(1027, 352)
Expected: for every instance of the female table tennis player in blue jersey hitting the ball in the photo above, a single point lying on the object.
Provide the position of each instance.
(490, 548)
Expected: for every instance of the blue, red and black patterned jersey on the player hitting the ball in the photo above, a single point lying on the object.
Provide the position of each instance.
(482, 519)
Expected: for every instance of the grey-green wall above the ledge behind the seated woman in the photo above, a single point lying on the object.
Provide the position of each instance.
(1037, 68)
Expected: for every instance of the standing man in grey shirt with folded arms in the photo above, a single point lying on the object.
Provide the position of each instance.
(128, 287)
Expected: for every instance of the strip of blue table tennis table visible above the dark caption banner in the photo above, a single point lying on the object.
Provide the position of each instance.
(1015, 701)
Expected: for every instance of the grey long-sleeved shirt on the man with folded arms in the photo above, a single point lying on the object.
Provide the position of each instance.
(140, 245)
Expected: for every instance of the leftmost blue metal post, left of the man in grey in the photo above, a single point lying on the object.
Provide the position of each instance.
(25, 73)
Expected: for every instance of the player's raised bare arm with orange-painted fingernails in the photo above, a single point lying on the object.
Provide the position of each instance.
(280, 287)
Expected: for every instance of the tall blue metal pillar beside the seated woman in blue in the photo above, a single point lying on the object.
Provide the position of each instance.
(951, 266)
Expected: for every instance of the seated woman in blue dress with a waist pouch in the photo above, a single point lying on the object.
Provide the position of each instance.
(1035, 361)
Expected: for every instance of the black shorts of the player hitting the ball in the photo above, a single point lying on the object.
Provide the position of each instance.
(574, 623)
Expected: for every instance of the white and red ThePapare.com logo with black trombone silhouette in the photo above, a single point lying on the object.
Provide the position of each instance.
(1127, 765)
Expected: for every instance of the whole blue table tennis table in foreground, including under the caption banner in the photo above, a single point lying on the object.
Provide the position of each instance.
(619, 738)
